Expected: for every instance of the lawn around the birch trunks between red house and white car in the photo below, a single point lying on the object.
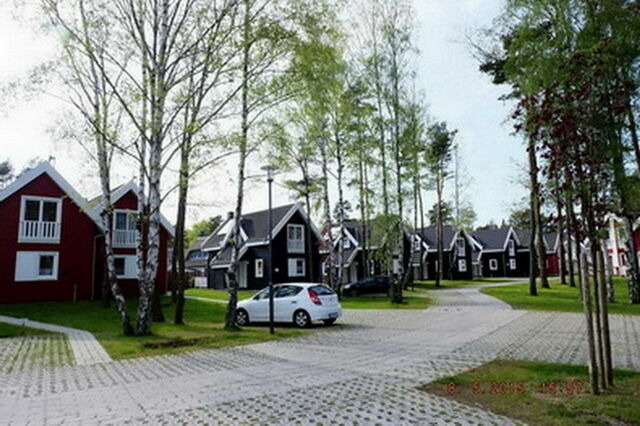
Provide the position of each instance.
(203, 328)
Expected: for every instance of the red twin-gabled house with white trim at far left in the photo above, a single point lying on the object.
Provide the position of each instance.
(52, 244)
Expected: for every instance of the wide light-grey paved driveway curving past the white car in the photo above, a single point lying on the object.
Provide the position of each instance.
(364, 371)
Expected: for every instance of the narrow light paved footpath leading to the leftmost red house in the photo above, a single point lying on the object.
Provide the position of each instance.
(84, 346)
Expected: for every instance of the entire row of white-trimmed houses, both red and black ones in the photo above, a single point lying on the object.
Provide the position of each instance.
(52, 246)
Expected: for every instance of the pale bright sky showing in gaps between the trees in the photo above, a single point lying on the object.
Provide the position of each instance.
(447, 73)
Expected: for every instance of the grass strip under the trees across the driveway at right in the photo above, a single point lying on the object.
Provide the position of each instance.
(562, 298)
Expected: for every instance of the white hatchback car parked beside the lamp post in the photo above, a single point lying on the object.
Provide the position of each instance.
(300, 303)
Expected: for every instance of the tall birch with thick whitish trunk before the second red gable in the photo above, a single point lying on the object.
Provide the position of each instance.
(145, 67)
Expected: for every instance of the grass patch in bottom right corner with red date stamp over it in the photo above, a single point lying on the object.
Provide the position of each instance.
(570, 404)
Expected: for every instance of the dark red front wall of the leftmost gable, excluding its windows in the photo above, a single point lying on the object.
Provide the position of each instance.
(76, 249)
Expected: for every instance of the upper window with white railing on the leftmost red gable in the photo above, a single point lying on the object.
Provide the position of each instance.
(40, 219)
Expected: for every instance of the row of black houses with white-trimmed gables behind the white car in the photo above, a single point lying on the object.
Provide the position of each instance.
(300, 251)
